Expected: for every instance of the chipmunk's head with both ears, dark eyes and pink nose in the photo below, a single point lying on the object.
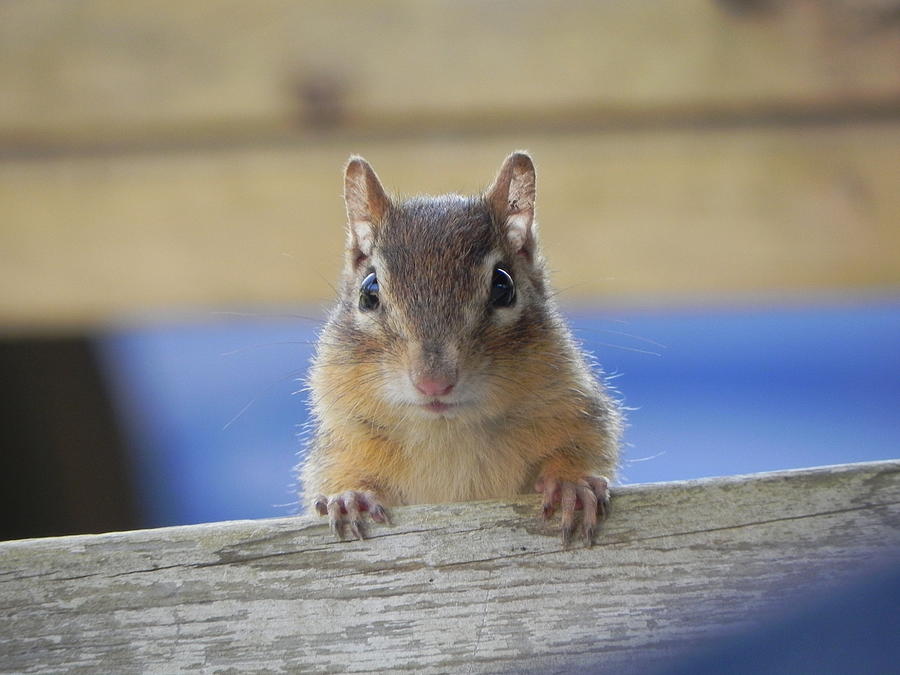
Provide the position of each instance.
(442, 293)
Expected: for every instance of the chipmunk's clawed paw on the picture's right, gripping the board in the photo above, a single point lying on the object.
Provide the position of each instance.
(590, 494)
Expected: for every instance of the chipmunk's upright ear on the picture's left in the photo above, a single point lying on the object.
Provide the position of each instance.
(367, 204)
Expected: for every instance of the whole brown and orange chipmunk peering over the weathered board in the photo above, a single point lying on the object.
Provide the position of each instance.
(445, 372)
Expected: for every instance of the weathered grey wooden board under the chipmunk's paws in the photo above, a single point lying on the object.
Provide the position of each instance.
(476, 587)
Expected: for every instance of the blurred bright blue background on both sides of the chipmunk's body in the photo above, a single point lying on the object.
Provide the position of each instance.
(214, 408)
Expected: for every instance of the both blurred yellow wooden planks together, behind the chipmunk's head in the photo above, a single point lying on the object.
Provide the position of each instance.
(187, 155)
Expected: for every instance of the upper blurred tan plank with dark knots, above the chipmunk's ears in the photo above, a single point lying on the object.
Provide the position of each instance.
(94, 71)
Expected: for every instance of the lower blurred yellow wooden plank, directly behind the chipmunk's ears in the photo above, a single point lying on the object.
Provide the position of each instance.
(89, 239)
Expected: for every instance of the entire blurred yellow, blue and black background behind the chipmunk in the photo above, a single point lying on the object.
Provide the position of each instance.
(717, 195)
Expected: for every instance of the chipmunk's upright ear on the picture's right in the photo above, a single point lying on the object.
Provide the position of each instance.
(511, 198)
